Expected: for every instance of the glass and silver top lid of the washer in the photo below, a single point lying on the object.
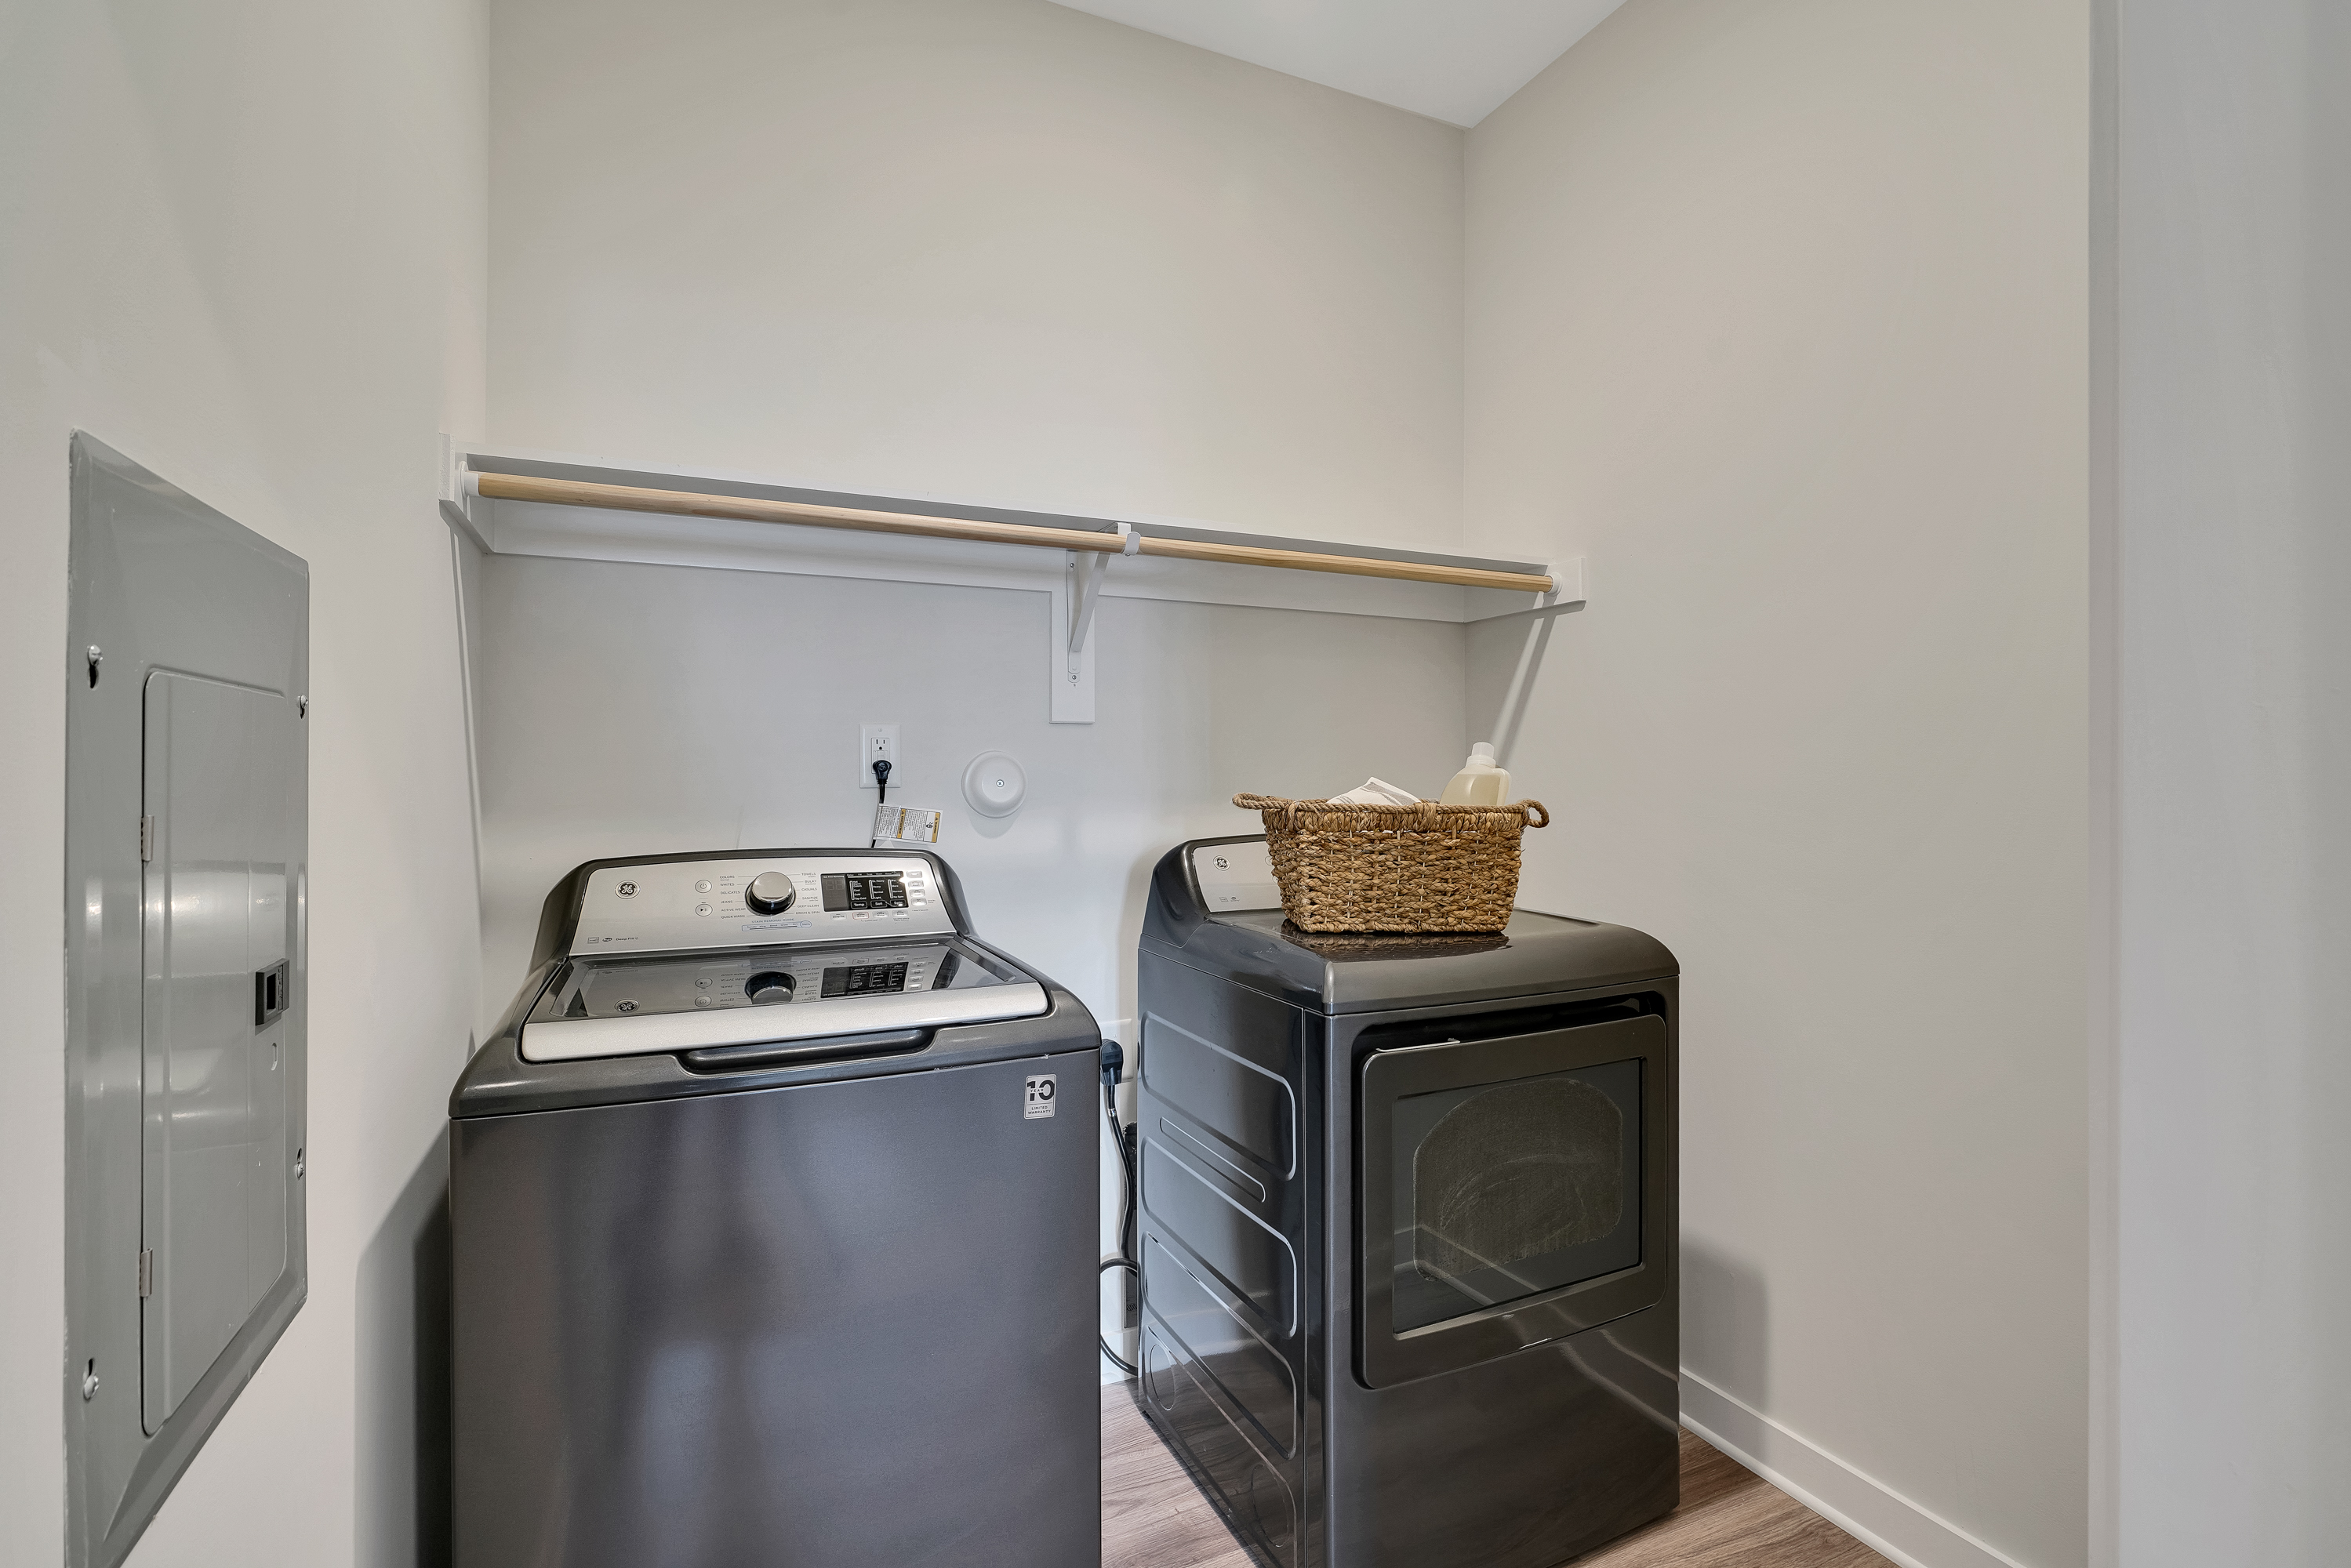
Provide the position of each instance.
(756, 996)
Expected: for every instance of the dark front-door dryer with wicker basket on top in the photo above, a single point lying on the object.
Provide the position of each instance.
(1407, 1226)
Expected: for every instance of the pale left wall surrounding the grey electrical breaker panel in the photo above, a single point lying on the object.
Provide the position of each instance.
(246, 246)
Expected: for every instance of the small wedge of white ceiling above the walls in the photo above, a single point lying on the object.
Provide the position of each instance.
(1449, 60)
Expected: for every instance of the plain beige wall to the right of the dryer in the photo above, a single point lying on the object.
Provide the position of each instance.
(1781, 314)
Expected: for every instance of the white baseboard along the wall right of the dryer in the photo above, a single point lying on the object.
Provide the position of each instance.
(1826, 1485)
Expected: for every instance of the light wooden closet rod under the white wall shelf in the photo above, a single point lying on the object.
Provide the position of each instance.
(751, 509)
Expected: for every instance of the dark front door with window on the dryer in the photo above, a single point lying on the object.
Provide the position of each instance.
(1511, 1193)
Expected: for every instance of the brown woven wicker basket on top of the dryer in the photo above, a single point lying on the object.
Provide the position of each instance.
(1395, 869)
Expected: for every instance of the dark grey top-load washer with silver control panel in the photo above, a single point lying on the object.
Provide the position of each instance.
(772, 1235)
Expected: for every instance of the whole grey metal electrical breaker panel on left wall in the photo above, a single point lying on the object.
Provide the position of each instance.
(187, 855)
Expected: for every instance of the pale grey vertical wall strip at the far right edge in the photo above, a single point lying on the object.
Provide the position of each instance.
(2232, 878)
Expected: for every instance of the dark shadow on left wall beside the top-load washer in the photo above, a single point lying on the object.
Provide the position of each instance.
(403, 1358)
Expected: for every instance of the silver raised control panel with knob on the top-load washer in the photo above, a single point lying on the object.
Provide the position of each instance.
(756, 902)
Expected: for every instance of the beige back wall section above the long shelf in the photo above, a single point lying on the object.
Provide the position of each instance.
(979, 248)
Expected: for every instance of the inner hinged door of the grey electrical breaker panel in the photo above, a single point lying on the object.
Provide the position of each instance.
(220, 763)
